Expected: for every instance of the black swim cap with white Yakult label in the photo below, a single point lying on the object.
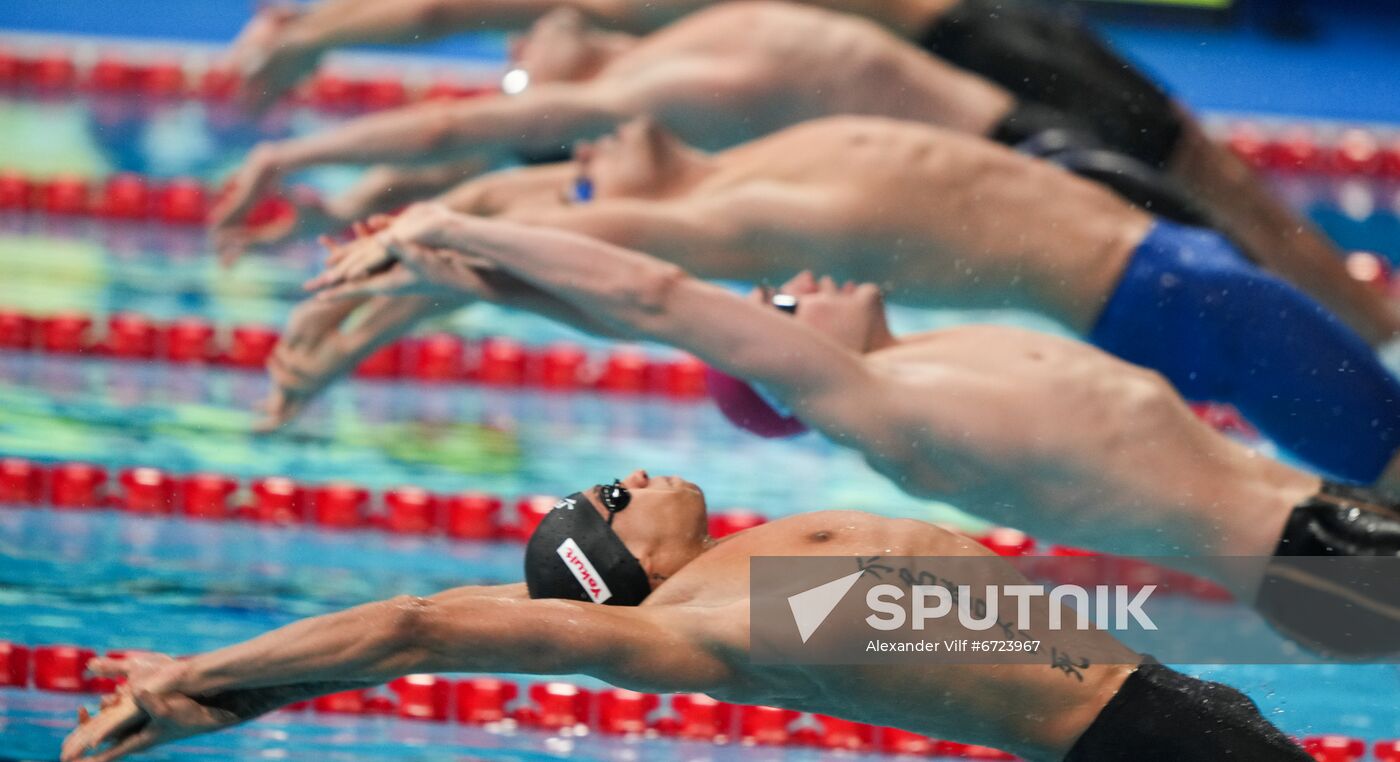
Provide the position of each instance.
(576, 555)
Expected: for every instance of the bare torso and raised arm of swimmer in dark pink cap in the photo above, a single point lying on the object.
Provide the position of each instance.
(1025, 429)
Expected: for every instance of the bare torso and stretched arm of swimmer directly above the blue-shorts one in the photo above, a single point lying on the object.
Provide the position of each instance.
(724, 76)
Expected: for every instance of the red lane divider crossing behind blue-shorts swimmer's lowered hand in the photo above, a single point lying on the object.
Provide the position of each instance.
(439, 358)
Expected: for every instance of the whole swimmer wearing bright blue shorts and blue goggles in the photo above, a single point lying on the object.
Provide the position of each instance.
(943, 219)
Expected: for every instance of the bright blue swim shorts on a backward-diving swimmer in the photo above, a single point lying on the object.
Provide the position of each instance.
(1221, 330)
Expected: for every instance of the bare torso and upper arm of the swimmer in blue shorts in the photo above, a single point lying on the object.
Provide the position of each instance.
(934, 216)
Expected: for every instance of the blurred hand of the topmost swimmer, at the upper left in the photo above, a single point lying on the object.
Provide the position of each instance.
(271, 58)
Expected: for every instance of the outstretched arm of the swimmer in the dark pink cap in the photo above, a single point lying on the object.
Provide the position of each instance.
(827, 385)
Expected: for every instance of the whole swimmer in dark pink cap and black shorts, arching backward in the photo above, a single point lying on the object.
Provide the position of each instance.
(1025, 429)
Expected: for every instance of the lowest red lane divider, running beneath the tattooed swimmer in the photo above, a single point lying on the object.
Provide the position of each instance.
(565, 708)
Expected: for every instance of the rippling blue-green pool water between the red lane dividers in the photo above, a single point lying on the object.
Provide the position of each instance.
(108, 581)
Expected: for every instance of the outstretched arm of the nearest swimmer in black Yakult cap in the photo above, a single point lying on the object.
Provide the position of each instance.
(646, 648)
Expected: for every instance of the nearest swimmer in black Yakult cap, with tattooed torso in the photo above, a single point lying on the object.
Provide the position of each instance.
(678, 621)
